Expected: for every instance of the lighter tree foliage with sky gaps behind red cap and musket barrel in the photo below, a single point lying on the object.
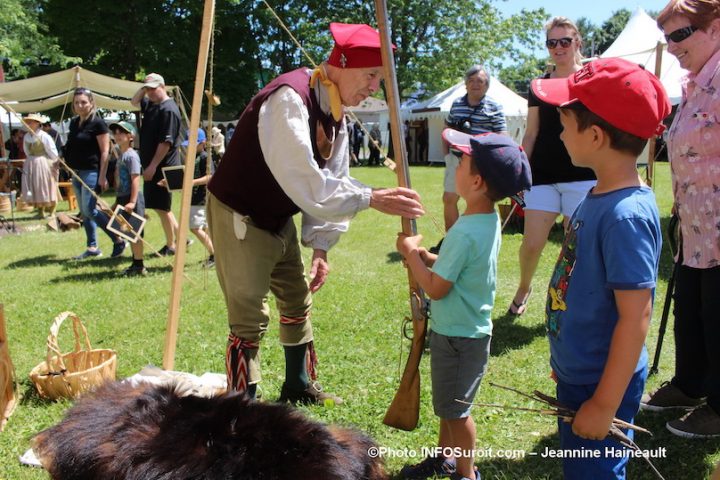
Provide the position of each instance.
(437, 40)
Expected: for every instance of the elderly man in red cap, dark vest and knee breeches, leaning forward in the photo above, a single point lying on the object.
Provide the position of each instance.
(289, 154)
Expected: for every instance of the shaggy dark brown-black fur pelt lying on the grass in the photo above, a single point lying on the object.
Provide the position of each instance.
(150, 432)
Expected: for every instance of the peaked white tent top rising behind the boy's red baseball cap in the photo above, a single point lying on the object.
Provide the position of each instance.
(638, 42)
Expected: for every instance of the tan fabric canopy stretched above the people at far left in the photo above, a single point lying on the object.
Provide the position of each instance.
(54, 89)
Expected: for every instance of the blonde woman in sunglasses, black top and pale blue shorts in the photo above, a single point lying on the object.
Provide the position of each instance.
(558, 186)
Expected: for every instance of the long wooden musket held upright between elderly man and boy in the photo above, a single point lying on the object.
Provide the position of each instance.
(404, 410)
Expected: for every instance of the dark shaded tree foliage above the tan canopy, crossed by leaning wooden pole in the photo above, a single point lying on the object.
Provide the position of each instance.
(135, 37)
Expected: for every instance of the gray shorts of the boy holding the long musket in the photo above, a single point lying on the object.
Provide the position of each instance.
(457, 364)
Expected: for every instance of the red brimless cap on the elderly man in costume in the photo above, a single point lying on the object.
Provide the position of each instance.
(356, 46)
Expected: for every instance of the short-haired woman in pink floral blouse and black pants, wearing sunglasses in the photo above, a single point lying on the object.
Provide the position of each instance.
(692, 30)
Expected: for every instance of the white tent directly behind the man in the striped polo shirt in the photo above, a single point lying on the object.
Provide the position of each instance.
(436, 110)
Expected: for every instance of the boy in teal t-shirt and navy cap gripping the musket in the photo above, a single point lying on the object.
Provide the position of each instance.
(462, 287)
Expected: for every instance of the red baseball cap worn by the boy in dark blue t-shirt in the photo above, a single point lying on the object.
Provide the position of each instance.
(620, 92)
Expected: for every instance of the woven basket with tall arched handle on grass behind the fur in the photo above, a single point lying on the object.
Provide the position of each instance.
(69, 375)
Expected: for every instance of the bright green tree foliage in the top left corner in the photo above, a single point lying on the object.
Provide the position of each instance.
(25, 44)
